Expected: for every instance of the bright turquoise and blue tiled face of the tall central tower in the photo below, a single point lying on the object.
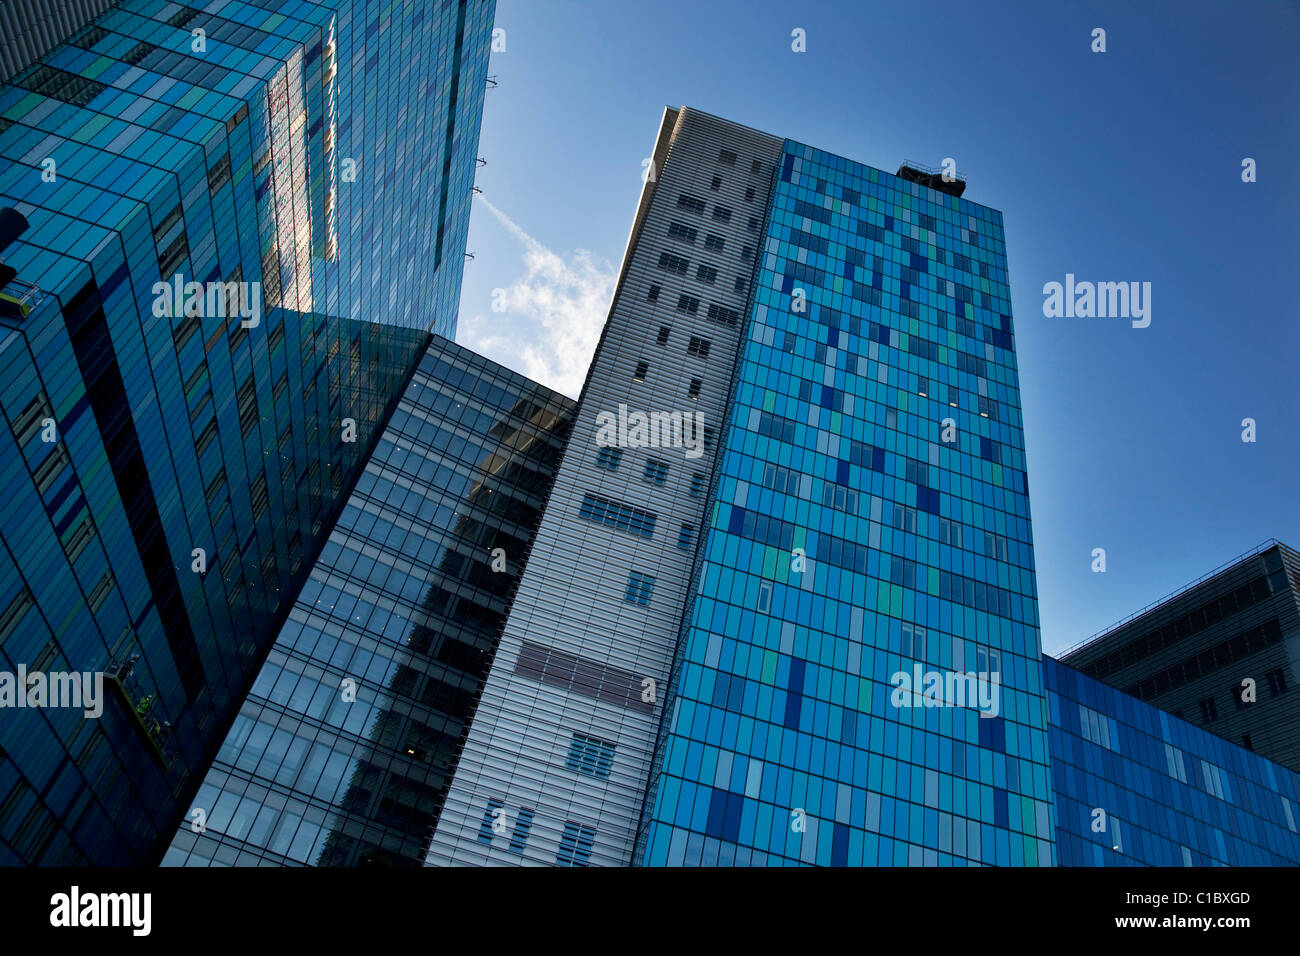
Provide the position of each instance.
(870, 517)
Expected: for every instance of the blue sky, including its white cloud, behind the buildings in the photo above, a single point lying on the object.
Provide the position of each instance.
(1124, 166)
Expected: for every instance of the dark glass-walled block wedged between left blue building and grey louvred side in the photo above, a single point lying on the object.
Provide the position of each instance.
(343, 752)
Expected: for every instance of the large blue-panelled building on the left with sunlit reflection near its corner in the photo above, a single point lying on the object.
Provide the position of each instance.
(242, 223)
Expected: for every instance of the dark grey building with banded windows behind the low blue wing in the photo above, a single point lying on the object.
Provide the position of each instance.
(1223, 654)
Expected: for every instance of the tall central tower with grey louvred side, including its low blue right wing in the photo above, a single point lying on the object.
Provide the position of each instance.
(782, 608)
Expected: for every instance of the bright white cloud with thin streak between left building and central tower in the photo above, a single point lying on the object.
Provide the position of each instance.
(553, 318)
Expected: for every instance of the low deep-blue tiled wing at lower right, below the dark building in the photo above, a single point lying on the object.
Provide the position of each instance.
(1136, 786)
